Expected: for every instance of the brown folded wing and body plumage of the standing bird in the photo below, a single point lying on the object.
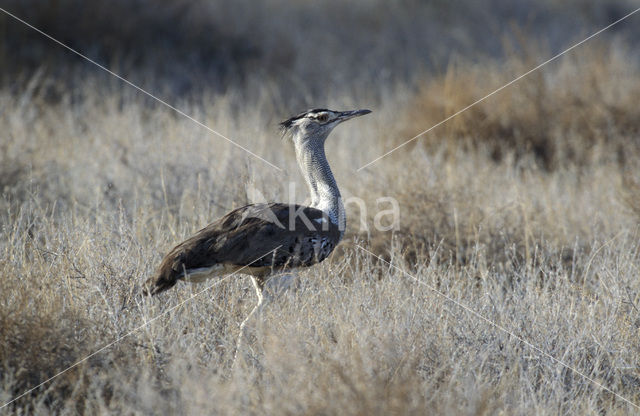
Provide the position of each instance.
(263, 237)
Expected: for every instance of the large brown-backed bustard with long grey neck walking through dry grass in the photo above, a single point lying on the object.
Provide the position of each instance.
(267, 239)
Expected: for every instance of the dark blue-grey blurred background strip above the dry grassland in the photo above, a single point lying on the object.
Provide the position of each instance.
(302, 51)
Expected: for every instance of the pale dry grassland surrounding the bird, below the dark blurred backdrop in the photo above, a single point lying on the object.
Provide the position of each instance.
(525, 209)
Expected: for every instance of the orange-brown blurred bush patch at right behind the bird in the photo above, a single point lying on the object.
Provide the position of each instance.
(577, 111)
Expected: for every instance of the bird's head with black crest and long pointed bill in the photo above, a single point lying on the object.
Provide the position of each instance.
(316, 124)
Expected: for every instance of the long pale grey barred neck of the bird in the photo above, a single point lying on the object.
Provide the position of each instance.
(322, 185)
